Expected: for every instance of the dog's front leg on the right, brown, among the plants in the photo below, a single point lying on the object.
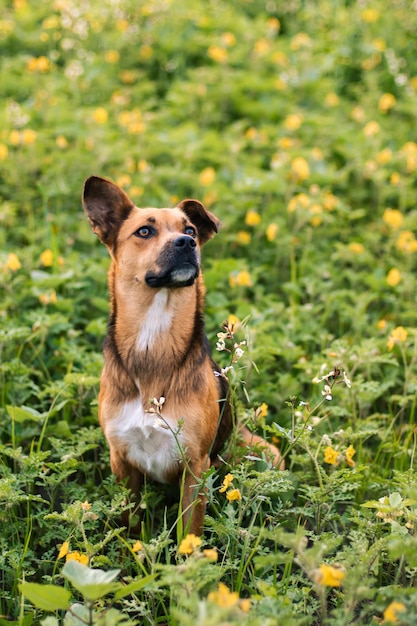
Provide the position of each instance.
(194, 496)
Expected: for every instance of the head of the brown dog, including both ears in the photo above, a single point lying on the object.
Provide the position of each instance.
(156, 247)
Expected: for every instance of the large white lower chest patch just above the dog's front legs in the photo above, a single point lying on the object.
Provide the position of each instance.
(148, 441)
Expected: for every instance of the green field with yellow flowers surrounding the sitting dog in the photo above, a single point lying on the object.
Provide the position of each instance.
(296, 124)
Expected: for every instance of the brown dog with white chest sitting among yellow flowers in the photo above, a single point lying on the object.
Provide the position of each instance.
(156, 347)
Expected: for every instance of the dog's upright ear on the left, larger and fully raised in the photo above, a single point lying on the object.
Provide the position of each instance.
(107, 206)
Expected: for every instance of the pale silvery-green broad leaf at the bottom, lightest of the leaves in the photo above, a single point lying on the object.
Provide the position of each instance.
(92, 583)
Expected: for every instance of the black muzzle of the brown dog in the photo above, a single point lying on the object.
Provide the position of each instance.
(179, 263)
